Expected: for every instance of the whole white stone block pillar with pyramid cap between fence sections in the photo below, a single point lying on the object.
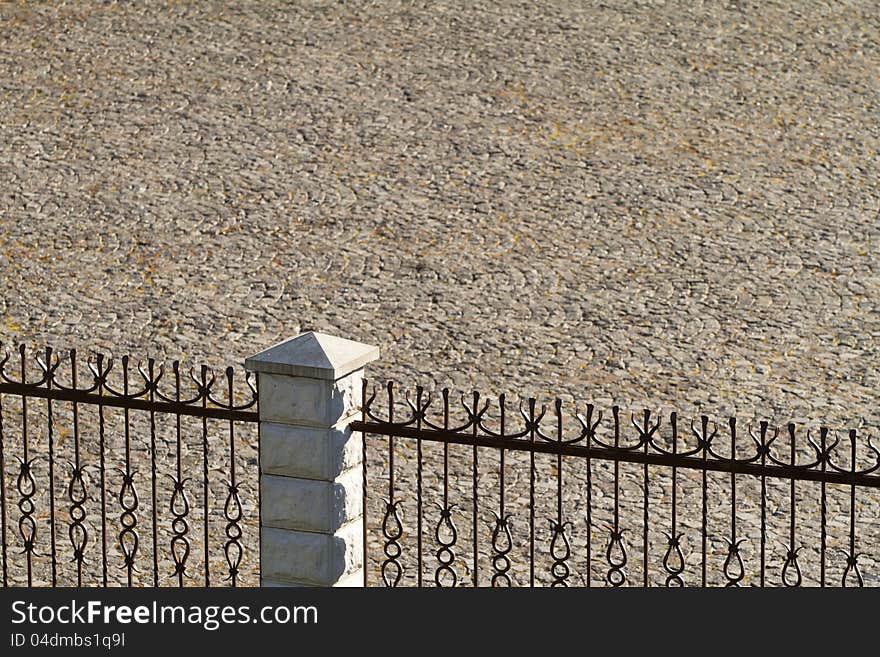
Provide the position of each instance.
(311, 493)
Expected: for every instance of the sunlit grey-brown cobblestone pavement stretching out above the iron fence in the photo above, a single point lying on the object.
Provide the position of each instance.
(671, 204)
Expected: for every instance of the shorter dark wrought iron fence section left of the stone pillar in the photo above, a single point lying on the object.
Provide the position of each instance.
(139, 445)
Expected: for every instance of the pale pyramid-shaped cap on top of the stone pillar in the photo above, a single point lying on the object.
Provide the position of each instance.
(313, 355)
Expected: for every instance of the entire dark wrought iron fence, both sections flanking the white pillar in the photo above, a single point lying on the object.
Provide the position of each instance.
(148, 475)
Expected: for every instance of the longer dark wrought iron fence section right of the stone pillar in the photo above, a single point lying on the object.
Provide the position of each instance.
(739, 503)
